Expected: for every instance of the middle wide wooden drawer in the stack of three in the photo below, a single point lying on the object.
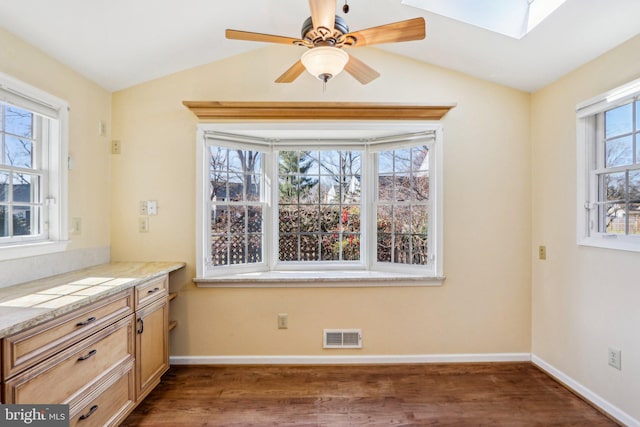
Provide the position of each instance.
(63, 377)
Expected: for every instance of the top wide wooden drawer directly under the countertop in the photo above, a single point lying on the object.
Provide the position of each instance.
(24, 349)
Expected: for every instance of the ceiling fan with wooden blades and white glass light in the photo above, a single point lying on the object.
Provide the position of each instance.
(325, 35)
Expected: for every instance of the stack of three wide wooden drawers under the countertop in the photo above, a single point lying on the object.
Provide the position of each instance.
(76, 359)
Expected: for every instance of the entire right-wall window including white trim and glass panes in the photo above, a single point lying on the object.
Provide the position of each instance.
(600, 204)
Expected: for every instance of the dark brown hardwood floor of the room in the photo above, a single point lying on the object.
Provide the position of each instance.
(487, 394)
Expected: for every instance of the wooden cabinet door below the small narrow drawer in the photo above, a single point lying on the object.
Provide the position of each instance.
(152, 346)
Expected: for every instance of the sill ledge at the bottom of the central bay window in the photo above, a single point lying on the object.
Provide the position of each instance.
(317, 279)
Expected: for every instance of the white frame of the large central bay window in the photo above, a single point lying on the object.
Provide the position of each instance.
(272, 271)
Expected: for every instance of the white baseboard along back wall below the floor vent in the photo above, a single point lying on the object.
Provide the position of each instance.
(349, 360)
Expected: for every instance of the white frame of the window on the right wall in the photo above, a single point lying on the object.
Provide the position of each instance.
(588, 114)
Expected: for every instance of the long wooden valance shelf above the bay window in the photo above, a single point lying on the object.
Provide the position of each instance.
(222, 110)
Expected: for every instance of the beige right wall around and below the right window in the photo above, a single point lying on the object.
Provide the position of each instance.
(584, 299)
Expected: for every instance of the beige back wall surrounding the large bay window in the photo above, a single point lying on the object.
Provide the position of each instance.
(482, 307)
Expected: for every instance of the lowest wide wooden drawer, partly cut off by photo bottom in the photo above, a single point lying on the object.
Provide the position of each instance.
(109, 404)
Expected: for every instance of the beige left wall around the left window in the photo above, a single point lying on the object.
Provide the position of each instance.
(89, 181)
